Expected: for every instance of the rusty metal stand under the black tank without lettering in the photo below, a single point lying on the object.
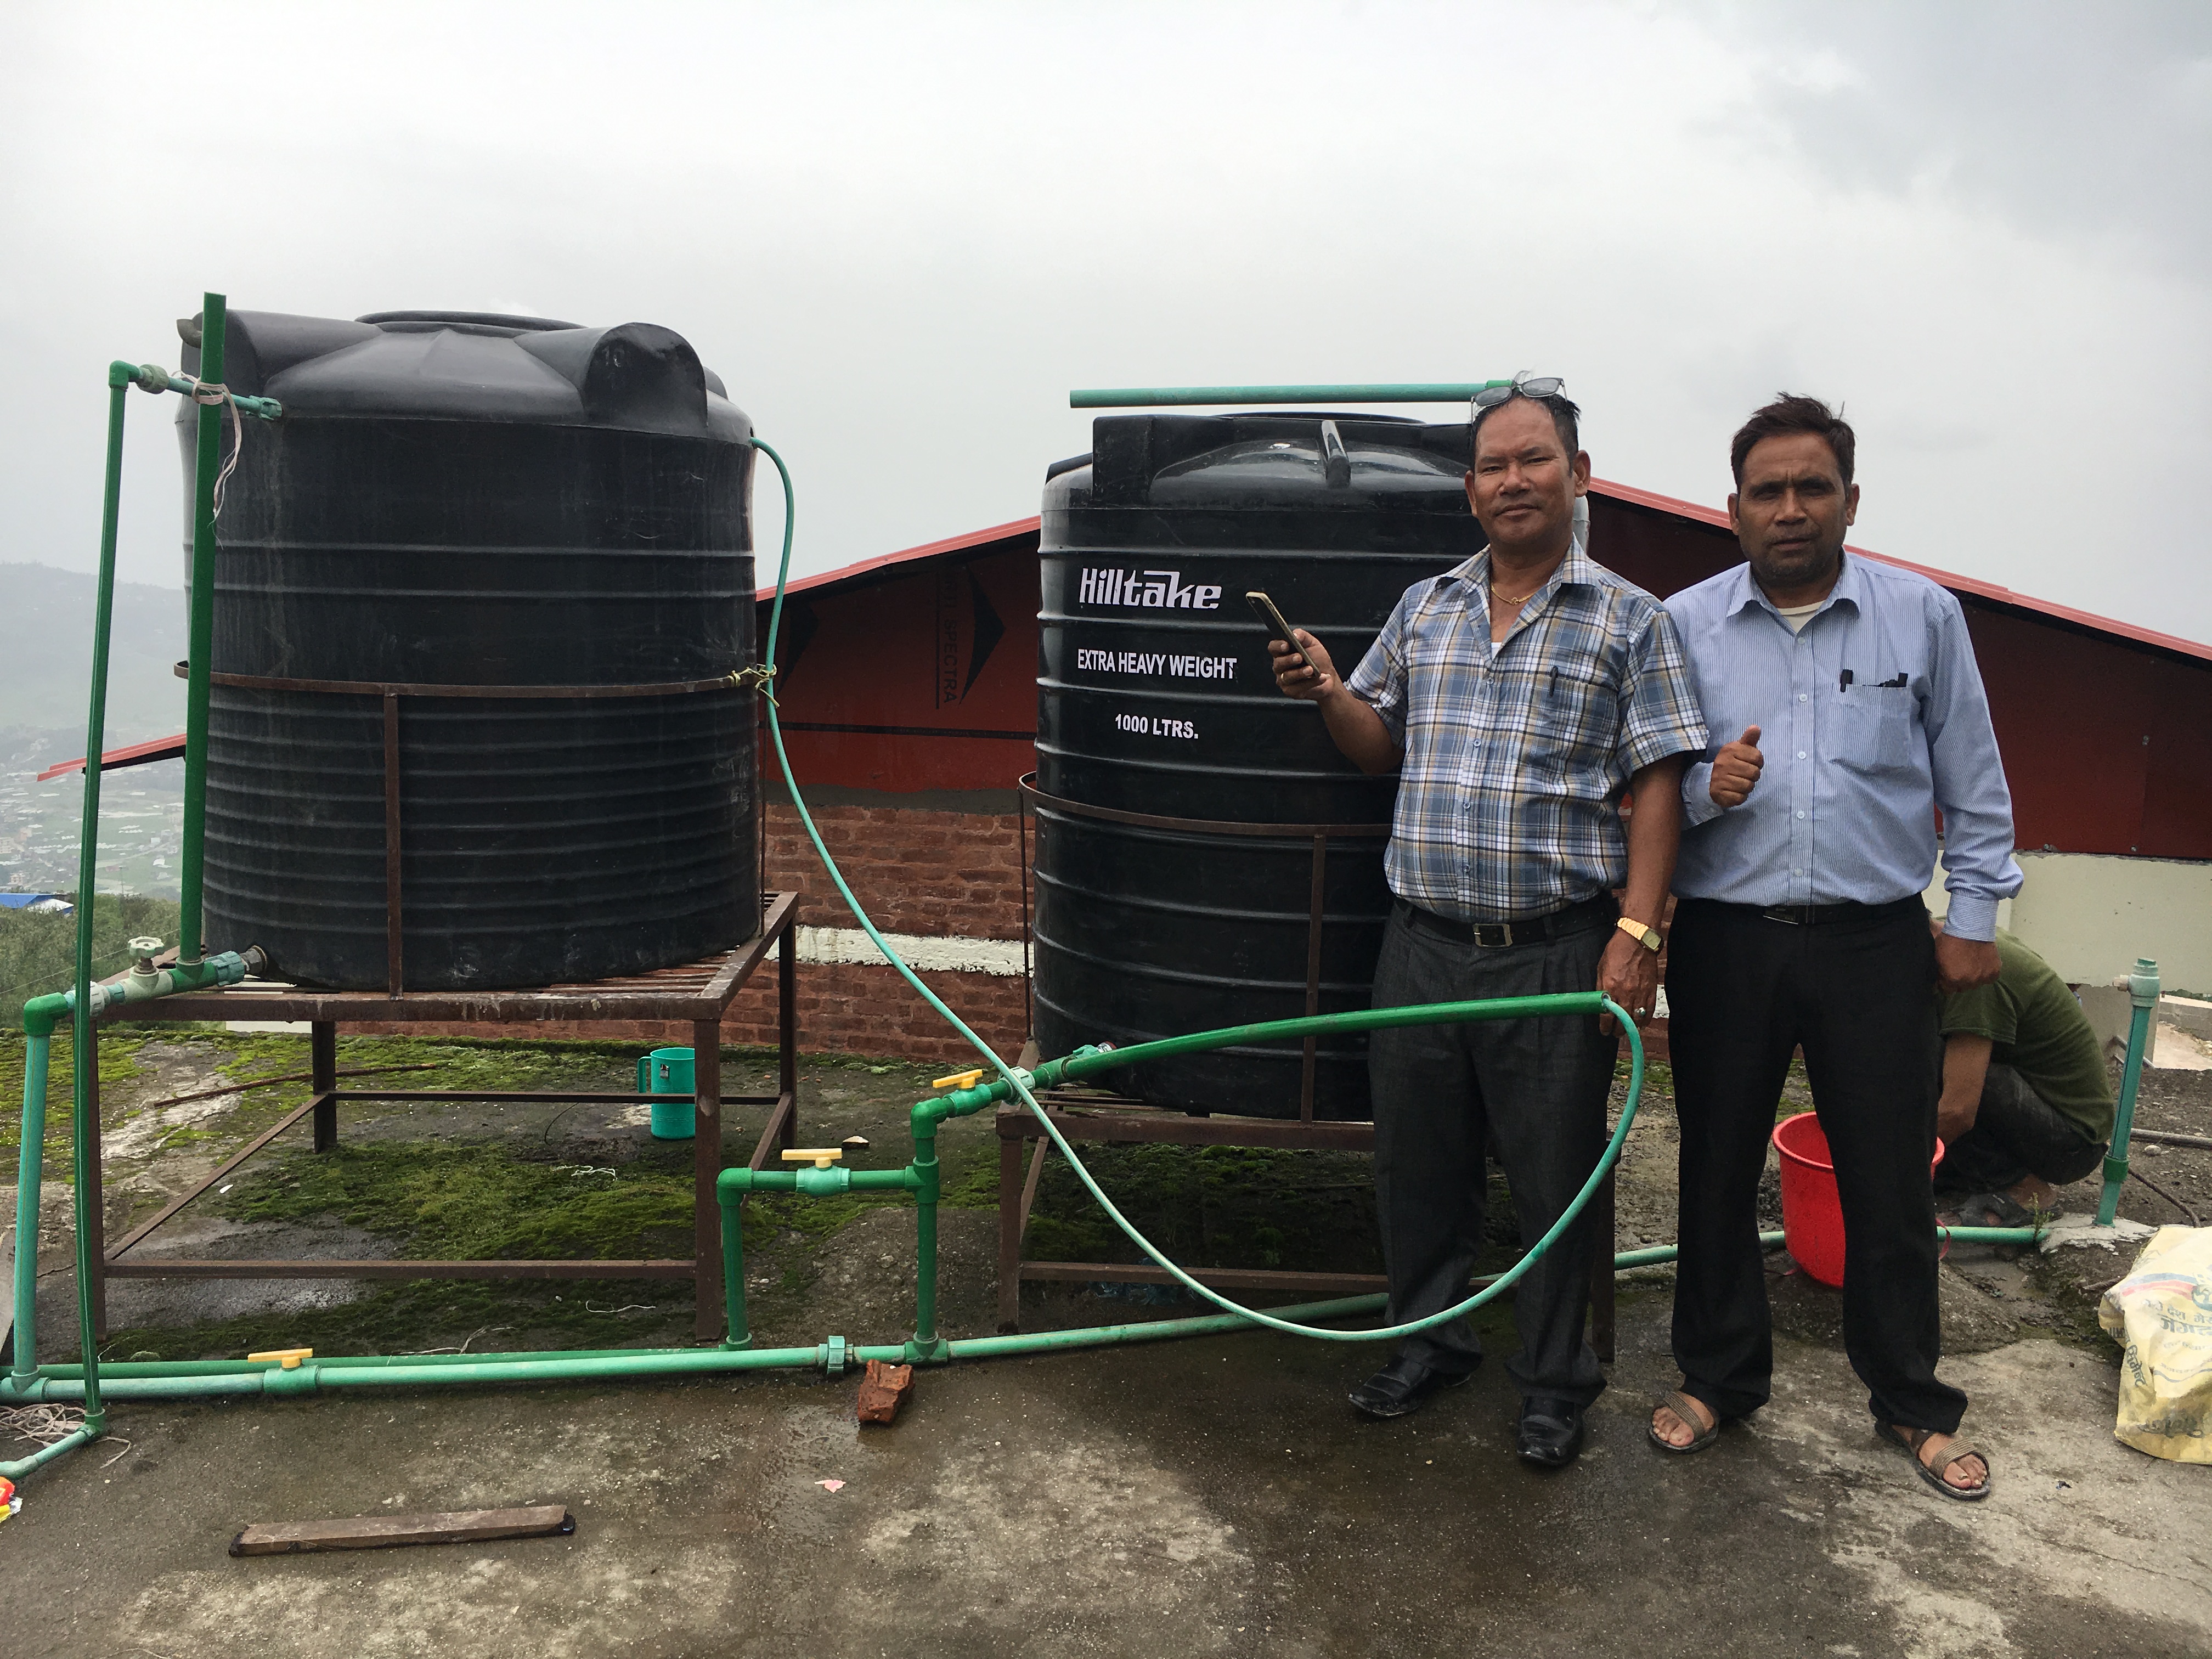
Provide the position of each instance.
(698, 994)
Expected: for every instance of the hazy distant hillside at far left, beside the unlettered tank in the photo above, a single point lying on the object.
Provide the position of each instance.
(48, 654)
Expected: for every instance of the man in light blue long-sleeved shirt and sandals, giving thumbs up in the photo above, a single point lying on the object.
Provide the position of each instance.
(1799, 924)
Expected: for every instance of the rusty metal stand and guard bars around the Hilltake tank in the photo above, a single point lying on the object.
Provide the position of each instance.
(1114, 1120)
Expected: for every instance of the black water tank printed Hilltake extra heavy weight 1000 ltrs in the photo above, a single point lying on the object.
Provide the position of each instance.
(1158, 707)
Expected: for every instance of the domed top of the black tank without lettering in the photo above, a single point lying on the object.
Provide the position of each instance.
(479, 366)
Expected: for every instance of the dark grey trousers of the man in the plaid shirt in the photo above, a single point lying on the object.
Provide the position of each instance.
(1441, 1094)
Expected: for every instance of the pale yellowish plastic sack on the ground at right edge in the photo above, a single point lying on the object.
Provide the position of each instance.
(2162, 1315)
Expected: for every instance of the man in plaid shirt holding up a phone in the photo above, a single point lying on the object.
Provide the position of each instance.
(1519, 698)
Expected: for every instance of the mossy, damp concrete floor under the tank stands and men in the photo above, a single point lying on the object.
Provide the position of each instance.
(1207, 1496)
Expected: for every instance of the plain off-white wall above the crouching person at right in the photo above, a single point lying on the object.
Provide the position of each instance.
(2094, 915)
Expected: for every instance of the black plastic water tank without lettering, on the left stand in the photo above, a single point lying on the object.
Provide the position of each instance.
(463, 501)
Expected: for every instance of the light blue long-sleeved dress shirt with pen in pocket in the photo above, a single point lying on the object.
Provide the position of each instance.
(1870, 720)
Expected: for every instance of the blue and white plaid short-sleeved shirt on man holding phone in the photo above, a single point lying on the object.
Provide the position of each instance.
(1516, 755)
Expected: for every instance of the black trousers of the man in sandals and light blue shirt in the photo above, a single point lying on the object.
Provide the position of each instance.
(1744, 994)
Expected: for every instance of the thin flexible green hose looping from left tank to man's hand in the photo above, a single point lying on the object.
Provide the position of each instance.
(1021, 1085)
